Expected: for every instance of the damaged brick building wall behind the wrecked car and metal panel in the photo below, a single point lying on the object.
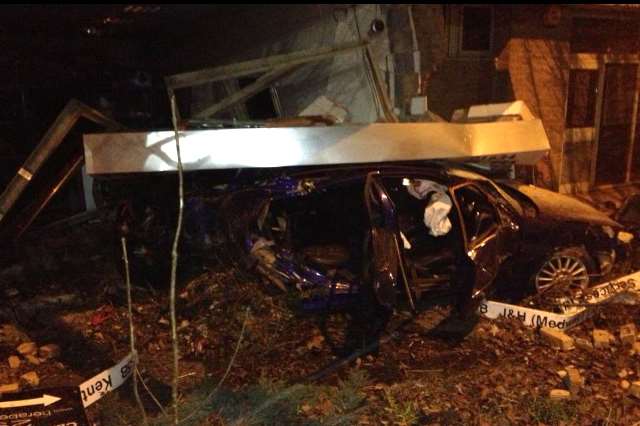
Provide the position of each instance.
(457, 55)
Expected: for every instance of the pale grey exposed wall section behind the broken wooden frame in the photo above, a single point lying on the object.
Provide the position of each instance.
(342, 79)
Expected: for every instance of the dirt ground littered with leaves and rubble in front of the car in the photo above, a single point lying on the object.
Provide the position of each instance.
(249, 355)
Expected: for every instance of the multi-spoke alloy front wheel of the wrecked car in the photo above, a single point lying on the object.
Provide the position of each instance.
(564, 273)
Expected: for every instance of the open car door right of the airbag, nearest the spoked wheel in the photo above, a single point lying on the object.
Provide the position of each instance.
(483, 237)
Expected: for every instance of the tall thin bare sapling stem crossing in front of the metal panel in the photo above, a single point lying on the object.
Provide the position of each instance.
(174, 265)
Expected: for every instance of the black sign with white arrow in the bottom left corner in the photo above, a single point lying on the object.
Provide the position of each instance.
(59, 406)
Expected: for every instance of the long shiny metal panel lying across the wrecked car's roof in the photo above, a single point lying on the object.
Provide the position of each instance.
(523, 141)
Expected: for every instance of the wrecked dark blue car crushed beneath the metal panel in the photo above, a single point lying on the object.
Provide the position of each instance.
(402, 231)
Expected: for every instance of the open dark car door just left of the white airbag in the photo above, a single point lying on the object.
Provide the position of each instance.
(385, 263)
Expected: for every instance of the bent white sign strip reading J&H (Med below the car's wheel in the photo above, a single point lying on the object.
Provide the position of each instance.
(595, 296)
